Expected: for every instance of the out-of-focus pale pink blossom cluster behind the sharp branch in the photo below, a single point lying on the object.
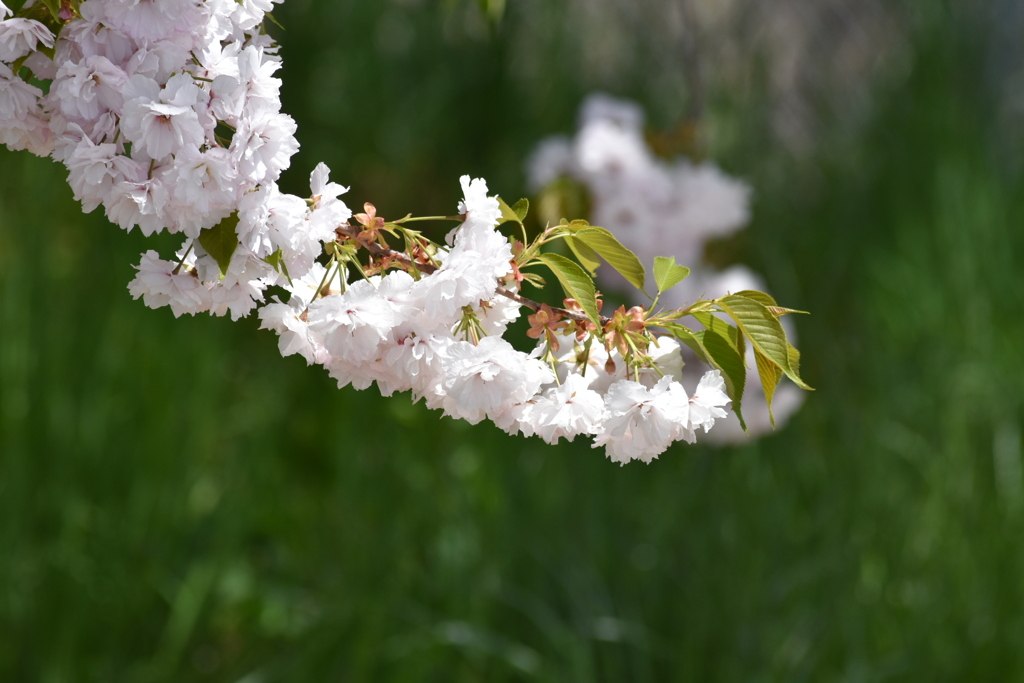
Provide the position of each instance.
(660, 207)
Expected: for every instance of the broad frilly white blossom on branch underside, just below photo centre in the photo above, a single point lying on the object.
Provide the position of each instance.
(484, 378)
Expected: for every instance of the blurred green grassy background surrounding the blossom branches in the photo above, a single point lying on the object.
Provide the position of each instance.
(179, 503)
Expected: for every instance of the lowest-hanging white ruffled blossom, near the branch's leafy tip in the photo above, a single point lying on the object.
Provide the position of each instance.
(642, 423)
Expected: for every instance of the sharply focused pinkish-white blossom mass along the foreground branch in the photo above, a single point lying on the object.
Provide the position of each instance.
(166, 114)
